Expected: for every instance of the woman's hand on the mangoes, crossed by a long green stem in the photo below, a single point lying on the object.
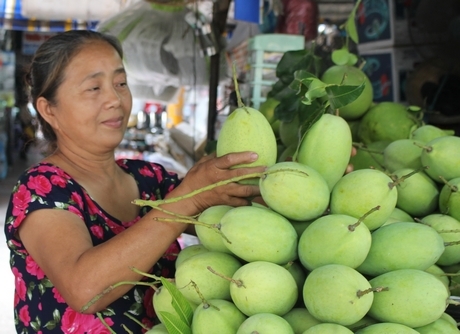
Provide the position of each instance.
(210, 170)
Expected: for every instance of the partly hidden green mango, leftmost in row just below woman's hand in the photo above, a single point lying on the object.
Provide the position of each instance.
(210, 236)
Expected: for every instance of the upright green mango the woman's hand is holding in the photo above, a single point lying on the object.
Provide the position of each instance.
(247, 129)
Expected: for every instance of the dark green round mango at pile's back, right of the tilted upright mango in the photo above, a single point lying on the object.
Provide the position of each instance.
(387, 121)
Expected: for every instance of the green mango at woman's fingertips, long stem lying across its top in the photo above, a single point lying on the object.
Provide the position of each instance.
(295, 191)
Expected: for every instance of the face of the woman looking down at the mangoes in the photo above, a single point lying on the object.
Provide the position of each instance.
(93, 103)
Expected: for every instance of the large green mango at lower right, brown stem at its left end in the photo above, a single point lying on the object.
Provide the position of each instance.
(413, 298)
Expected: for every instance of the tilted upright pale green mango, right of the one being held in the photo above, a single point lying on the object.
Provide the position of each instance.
(326, 147)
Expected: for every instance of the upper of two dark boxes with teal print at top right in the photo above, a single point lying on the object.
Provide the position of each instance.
(383, 24)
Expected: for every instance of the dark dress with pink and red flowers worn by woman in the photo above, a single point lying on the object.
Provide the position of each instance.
(38, 306)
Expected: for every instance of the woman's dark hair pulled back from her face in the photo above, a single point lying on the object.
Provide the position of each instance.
(46, 71)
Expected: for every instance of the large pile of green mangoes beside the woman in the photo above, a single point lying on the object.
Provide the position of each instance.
(374, 250)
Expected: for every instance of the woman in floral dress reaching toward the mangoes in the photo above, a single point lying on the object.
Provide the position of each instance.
(71, 225)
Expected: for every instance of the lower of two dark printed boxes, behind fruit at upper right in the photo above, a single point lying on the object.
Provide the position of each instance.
(388, 70)
